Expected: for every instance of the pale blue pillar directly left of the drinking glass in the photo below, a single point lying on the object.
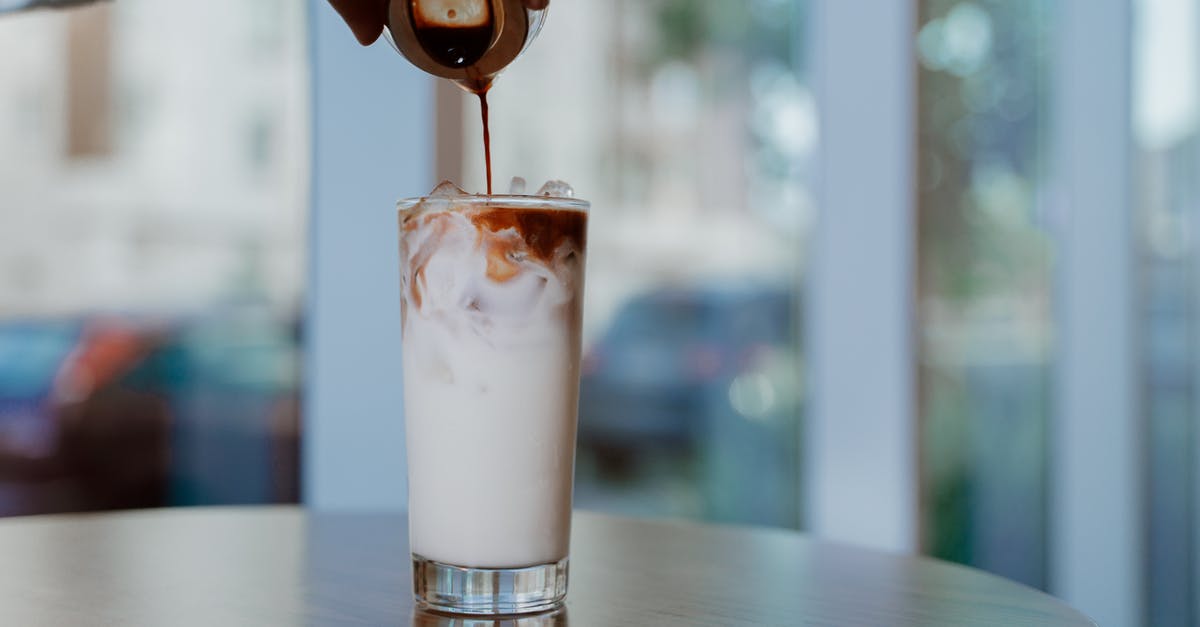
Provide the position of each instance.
(373, 145)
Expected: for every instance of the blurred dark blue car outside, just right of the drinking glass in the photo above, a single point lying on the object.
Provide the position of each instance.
(701, 385)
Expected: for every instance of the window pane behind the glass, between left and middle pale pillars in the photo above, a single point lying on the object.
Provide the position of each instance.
(691, 128)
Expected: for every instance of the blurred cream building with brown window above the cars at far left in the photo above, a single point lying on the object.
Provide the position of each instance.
(155, 157)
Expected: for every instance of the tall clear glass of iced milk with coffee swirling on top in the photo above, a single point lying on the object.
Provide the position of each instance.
(493, 296)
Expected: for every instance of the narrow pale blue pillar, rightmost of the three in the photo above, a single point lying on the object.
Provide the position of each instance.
(1097, 438)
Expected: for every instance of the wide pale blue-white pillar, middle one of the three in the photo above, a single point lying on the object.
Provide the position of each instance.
(861, 428)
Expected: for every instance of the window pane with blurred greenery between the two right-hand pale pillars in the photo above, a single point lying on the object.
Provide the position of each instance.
(985, 283)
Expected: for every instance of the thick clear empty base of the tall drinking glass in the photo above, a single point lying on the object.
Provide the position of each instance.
(489, 592)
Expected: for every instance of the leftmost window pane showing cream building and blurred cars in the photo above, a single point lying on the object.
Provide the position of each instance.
(153, 198)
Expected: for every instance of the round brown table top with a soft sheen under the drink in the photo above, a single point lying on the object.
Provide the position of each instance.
(281, 566)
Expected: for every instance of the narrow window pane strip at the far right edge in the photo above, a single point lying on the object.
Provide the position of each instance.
(1166, 198)
